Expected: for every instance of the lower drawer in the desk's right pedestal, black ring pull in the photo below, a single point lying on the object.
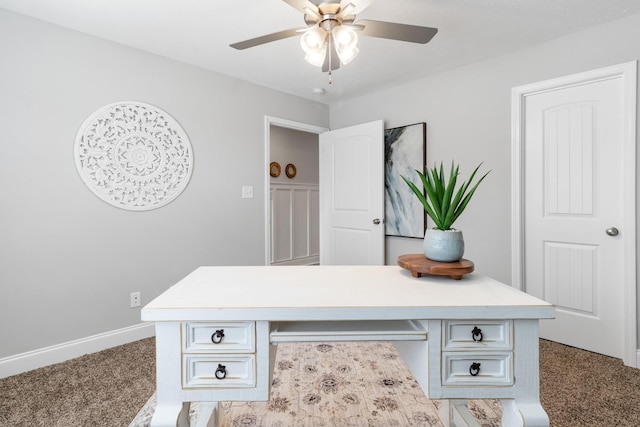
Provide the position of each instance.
(483, 368)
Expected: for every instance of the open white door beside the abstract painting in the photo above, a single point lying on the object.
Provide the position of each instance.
(352, 195)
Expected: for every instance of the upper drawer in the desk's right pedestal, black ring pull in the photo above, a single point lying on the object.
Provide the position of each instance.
(485, 334)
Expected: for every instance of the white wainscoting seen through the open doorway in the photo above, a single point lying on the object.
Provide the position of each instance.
(295, 224)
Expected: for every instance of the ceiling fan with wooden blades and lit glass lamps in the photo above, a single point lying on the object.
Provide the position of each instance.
(331, 36)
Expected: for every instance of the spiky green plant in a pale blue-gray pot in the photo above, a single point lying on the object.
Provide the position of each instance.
(443, 204)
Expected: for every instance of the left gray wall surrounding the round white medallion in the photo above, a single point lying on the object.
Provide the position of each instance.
(68, 260)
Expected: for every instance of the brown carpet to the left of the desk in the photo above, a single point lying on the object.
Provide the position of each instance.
(104, 389)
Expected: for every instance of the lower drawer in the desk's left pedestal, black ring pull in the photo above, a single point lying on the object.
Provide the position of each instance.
(219, 371)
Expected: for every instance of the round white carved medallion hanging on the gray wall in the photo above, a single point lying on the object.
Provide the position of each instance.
(133, 156)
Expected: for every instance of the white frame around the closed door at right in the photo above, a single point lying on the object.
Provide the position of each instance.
(628, 73)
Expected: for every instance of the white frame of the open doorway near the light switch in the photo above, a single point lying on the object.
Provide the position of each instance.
(284, 123)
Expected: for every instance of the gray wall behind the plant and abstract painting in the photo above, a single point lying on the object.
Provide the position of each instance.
(468, 115)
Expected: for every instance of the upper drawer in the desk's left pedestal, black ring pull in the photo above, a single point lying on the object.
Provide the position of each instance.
(219, 337)
